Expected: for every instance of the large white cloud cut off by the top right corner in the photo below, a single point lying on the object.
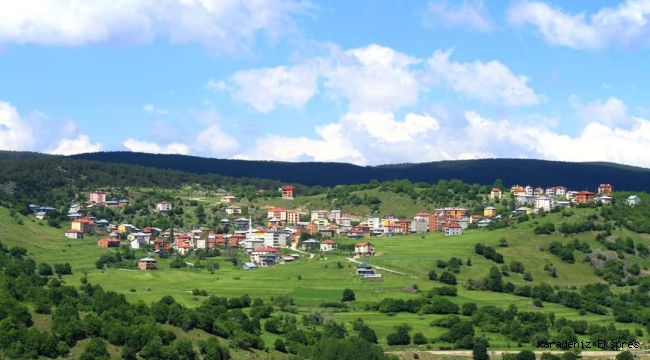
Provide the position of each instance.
(626, 25)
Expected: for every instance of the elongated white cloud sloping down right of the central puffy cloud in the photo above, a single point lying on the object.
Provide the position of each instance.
(491, 82)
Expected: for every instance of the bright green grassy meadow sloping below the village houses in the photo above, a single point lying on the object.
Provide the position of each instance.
(322, 278)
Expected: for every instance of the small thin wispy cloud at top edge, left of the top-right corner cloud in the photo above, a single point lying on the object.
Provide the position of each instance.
(471, 14)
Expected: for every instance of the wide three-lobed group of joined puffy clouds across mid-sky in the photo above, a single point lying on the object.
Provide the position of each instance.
(375, 78)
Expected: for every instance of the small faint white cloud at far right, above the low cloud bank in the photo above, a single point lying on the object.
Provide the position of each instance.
(611, 112)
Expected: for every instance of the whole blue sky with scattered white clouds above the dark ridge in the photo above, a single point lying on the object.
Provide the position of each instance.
(367, 82)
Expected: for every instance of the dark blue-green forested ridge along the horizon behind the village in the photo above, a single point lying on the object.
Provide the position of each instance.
(511, 171)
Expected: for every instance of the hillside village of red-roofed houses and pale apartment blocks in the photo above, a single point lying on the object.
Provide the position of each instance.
(284, 230)
